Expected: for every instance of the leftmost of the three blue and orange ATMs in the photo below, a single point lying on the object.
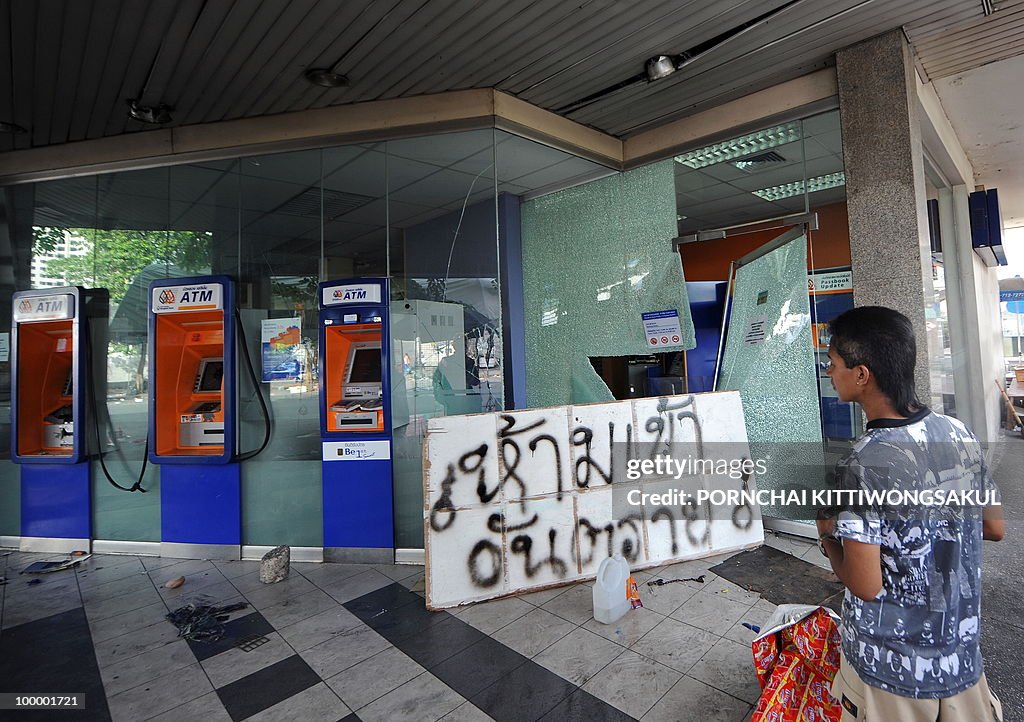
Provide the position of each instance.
(56, 333)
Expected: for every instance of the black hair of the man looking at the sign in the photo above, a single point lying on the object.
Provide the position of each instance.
(883, 341)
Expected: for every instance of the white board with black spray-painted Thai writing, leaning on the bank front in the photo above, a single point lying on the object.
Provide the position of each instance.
(525, 500)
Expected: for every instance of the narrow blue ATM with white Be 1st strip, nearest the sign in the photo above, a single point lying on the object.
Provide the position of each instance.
(356, 421)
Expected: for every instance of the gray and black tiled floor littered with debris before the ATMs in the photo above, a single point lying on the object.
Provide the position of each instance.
(349, 642)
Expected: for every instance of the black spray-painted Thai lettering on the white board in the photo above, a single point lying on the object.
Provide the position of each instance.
(590, 540)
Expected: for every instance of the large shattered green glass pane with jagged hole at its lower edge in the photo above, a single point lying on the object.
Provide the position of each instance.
(595, 258)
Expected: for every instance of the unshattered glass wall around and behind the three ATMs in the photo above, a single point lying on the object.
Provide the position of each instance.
(421, 211)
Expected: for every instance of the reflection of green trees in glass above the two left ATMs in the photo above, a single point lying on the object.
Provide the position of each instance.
(114, 259)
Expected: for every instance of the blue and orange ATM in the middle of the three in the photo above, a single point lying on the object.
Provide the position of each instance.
(193, 416)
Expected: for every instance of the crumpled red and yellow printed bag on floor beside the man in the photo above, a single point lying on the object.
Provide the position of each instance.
(797, 656)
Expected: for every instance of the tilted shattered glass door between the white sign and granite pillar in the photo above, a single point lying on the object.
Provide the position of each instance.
(770, 359)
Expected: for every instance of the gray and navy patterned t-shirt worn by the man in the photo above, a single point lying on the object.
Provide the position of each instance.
(920, 636)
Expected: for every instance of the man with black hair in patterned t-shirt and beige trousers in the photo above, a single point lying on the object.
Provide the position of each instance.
(913, 608)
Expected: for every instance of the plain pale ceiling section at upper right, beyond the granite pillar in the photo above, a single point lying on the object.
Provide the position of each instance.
(986, 107)
